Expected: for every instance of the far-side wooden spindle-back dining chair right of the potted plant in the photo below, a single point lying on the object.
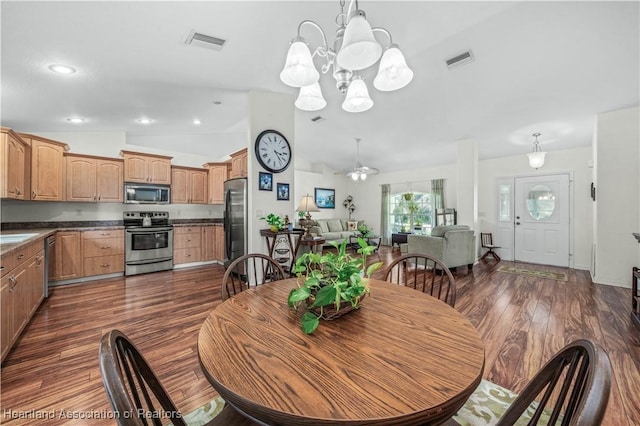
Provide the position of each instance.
(425, 273)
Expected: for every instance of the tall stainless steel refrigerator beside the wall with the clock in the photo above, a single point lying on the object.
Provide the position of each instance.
(235, 219)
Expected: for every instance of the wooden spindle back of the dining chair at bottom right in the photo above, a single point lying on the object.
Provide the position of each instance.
(571, 389)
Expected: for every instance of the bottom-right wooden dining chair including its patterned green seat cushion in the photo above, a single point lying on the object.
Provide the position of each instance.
(572, 388)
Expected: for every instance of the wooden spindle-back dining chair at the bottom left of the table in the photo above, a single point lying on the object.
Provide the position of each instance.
(136, 394)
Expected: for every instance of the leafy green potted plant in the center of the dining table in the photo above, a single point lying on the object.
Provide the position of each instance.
(331, 284)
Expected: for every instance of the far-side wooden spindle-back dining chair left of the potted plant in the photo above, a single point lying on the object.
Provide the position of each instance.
(250, 270)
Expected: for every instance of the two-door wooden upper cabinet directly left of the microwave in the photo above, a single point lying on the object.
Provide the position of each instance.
(93, 179)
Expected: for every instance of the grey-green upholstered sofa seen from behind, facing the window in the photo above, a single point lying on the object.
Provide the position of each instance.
(455, 245)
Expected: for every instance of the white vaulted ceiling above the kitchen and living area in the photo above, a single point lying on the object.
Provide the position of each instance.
(547, 67)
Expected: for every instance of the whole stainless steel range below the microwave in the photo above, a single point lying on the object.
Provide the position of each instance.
(148, 242)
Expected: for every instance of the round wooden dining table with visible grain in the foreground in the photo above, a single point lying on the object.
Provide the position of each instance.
(403, 358)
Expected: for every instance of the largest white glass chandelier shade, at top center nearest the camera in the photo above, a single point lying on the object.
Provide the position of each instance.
(359, 49)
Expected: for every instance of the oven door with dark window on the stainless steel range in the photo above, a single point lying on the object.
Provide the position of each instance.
(143, 243)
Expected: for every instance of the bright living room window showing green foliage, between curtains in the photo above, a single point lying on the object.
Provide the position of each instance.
(411, 212)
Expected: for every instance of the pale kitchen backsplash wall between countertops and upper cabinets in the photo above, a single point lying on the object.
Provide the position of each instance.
(40, 211)
